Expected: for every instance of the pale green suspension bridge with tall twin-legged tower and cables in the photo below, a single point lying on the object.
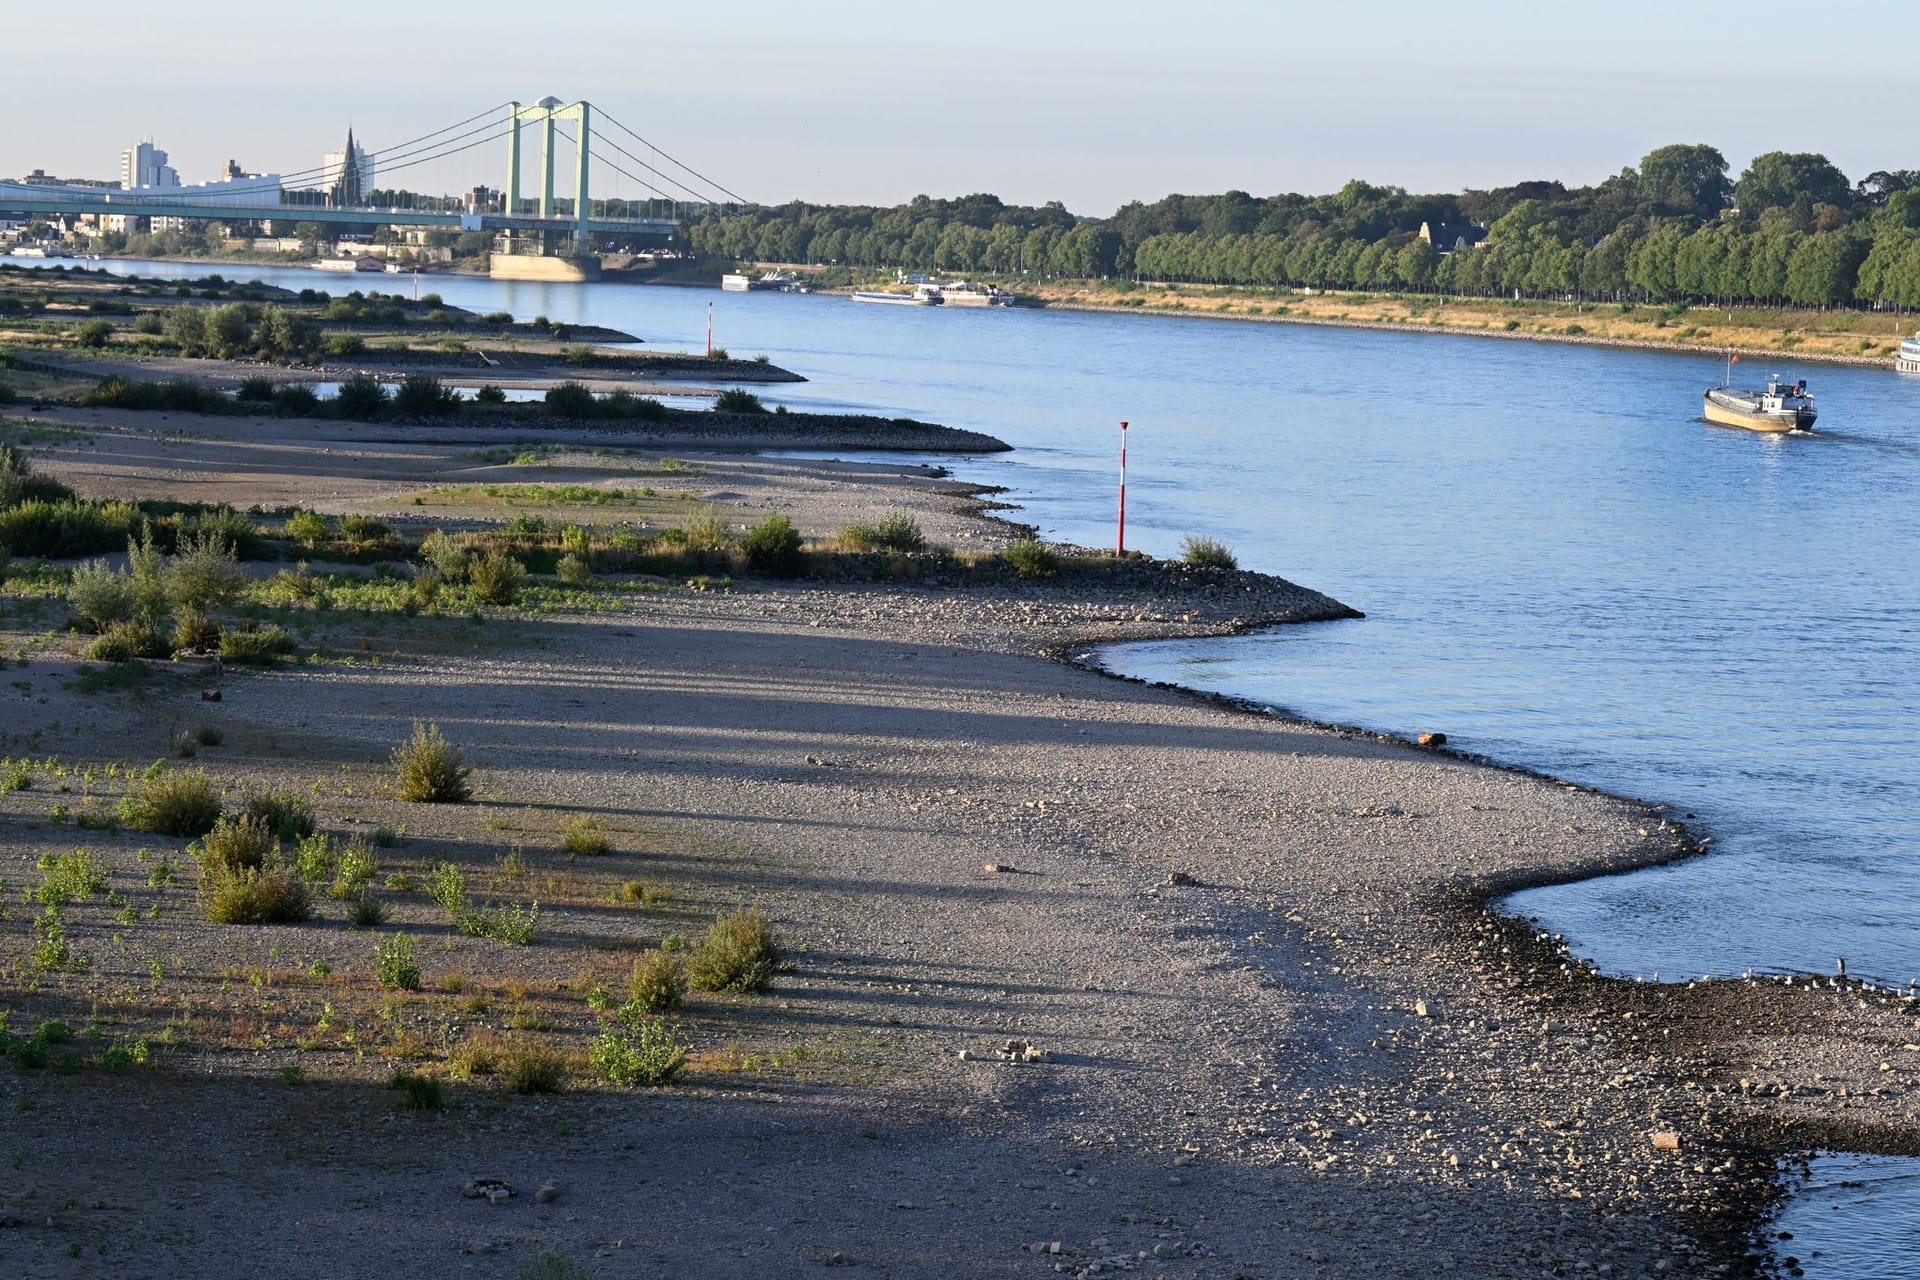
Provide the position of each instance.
(546, 235)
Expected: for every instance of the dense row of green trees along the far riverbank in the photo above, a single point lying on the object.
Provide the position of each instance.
(1790, 229)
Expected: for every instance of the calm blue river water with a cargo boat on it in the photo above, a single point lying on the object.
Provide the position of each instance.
(1560, 563)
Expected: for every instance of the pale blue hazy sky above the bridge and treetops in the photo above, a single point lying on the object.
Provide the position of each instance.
(1086, 103)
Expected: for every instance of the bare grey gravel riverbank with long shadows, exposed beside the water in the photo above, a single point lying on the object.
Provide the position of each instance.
(1284, 1037)
